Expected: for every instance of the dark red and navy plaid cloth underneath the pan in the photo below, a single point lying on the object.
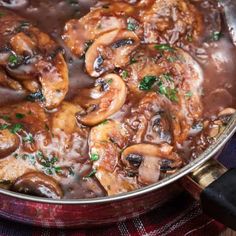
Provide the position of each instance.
(181, 216)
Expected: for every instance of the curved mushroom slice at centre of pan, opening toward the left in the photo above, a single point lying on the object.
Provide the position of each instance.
(105, 99)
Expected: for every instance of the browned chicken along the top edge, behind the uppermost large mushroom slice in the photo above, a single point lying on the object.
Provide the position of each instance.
(153, 21)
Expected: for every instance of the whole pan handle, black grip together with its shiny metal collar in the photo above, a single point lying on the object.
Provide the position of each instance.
(215, 187)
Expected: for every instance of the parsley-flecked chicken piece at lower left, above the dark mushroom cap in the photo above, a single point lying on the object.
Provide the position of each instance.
(33, 141)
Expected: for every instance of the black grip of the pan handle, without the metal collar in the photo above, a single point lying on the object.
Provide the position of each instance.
(219, 199)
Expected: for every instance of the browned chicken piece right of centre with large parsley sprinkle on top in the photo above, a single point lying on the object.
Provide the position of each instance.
(177, 78)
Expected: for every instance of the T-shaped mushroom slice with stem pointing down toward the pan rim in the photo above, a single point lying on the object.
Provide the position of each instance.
(149, 160)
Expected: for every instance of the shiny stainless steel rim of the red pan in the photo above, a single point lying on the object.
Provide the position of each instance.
(206, 155)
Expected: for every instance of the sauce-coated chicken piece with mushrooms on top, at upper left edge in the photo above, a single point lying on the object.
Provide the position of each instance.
(31, 60)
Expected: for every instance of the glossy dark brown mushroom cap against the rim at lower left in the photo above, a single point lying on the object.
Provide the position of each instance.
(38, 184)
